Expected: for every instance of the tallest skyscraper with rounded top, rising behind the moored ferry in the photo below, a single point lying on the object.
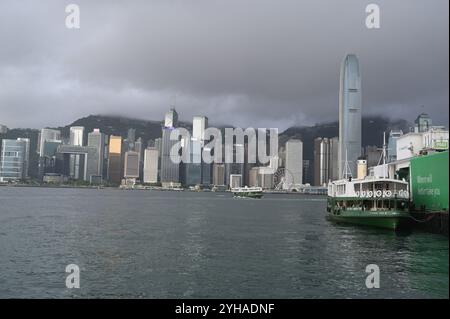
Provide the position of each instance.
(349, 115)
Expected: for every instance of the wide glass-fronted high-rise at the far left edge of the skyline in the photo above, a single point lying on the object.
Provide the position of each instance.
(13, 160)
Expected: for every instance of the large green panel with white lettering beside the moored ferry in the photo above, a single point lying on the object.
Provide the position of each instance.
(429, 182)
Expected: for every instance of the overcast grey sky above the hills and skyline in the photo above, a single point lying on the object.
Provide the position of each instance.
(242, 62)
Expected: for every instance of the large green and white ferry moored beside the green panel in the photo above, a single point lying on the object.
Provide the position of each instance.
(372, 201)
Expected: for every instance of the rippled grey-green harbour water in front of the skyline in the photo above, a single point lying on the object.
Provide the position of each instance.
(156, 244)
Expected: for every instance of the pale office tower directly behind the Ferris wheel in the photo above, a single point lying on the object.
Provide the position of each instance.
(294, 163)
